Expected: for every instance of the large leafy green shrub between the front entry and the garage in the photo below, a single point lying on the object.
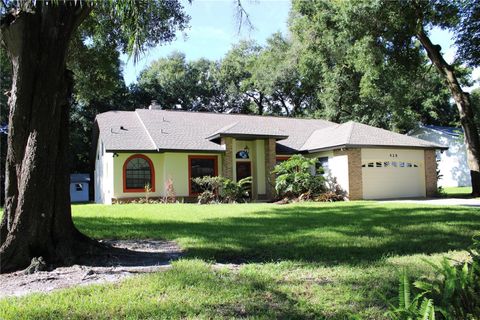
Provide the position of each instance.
(295, 178)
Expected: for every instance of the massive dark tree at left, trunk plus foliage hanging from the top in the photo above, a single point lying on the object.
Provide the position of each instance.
(36, 36)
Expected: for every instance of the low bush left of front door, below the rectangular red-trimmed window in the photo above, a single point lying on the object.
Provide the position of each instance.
(223, 190)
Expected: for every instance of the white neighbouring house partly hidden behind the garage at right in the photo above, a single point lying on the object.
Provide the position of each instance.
(453, 165)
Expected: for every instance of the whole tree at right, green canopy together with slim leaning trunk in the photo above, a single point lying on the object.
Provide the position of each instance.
(377, 47)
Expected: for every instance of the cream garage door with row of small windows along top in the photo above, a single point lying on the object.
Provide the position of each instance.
(393, 173)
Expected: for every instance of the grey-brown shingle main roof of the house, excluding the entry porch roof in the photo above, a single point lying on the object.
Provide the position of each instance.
(156, 130)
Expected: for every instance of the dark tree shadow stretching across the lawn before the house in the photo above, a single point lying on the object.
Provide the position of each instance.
(351, 234)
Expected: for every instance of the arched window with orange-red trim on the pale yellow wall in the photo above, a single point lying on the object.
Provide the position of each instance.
(138, 173)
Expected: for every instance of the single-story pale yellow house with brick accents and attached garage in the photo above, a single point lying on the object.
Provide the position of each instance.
(149, 148)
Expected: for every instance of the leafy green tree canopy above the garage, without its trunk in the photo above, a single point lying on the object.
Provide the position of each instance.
(367, 65)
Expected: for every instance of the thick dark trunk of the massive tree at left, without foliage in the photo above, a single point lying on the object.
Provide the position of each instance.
(37, 217)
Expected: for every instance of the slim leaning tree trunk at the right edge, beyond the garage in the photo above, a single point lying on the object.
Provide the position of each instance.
(462, 100)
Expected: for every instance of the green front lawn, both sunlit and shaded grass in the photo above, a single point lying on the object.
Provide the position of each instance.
(298, 261)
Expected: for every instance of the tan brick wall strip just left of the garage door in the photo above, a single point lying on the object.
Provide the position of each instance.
(355, 189)
